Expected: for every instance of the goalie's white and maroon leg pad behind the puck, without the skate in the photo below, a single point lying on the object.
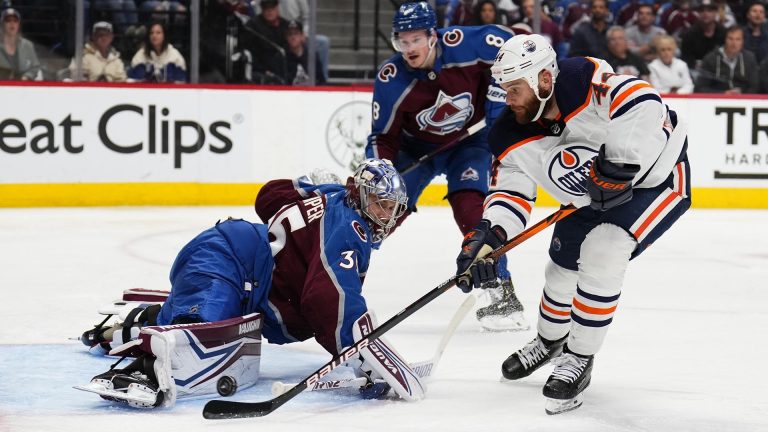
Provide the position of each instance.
(202, 358)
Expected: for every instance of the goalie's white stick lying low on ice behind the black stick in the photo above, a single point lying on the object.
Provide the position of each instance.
(423, 369)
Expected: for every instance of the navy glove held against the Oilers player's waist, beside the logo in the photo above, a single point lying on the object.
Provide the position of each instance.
(610, 184)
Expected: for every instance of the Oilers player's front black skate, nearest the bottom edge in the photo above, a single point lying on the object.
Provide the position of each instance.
(564, 387)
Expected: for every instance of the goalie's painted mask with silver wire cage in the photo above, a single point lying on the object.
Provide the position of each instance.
(378, 192)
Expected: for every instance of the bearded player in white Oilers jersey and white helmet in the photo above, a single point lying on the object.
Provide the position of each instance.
(607, 144)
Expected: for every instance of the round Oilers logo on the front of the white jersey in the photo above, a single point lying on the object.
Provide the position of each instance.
(569, 169)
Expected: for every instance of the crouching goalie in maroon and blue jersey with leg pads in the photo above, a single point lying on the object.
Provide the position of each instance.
(298, 277)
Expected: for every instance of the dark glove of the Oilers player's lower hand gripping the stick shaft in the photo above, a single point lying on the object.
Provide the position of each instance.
(472, 267)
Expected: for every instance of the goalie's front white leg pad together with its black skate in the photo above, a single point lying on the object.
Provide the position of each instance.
(184, 360)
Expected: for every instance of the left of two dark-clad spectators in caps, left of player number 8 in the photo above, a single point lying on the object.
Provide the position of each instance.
(265, 36)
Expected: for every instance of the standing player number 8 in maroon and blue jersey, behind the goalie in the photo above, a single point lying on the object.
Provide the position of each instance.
(424, 98)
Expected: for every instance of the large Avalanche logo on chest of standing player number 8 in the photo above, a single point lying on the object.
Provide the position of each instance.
(448, 114)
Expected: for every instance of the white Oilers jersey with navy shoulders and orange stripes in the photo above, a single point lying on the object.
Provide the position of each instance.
(597, 107)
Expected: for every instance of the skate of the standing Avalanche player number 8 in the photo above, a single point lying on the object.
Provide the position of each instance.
(505, 312)
